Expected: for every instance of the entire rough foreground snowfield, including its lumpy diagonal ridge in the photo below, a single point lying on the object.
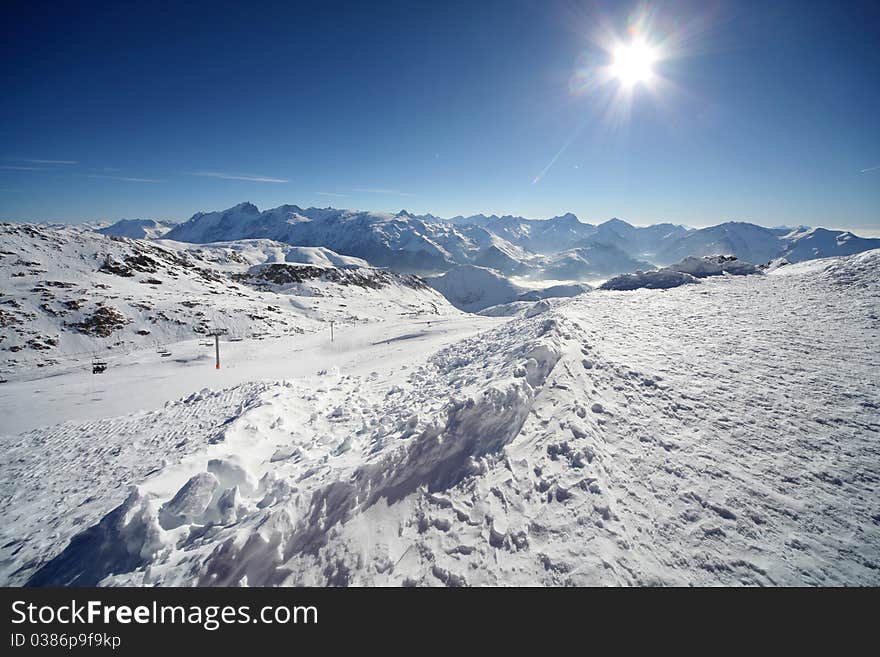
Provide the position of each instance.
(720, 433)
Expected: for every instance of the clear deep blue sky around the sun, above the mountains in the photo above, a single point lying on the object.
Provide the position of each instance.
(759, 111)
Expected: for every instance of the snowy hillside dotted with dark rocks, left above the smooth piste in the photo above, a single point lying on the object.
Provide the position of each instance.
(69, 293)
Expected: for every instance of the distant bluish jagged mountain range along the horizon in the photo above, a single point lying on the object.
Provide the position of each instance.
(562, 247)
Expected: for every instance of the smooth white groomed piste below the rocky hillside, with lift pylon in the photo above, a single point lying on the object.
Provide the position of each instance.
(143, 380)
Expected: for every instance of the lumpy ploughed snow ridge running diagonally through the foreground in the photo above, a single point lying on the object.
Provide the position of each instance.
(213, 527)
